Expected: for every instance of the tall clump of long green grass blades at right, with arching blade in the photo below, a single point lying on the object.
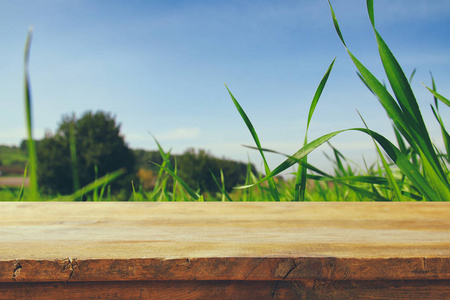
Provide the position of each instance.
(421, 172)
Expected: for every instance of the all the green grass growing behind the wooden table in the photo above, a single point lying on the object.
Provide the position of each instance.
(411, 168)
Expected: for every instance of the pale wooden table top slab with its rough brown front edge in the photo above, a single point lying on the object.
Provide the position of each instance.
(54, 241)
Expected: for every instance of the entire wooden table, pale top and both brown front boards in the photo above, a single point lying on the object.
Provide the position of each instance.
(224, 250)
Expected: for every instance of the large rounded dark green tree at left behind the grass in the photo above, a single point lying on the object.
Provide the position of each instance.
(100, 150)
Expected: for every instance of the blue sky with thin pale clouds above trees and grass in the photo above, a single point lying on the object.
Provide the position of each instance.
(160, 67)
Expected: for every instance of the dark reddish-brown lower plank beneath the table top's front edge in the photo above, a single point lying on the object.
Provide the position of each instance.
(302, 289)
